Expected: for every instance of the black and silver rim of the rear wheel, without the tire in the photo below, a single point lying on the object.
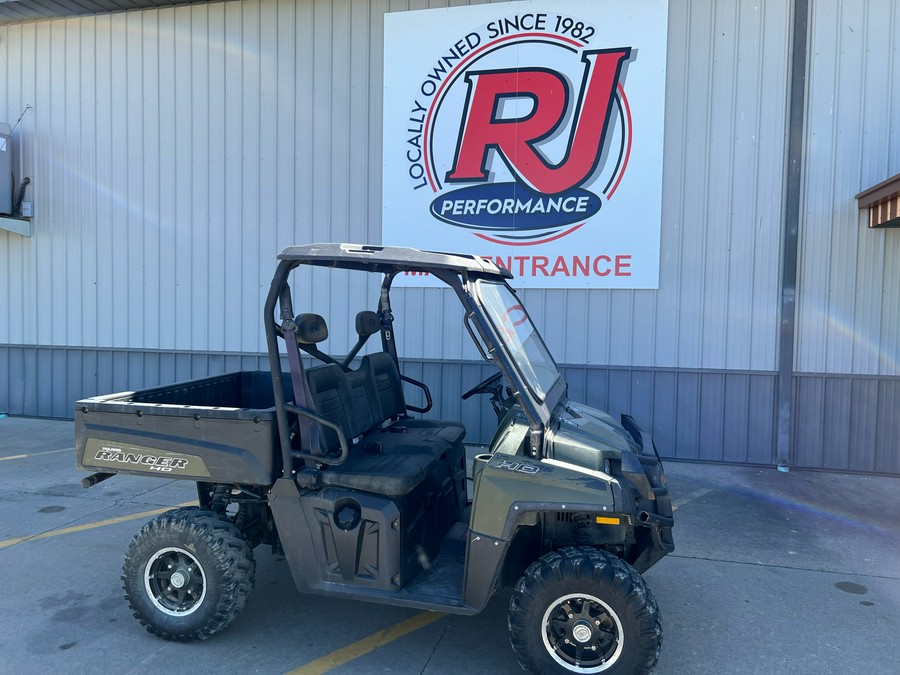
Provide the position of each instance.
(175, 581)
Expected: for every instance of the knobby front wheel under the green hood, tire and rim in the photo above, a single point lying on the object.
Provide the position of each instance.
(581, 610)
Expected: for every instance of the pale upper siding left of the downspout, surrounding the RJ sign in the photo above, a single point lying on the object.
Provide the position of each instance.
(206, 137)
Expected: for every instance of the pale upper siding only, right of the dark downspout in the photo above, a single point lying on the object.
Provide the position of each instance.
(848, 303)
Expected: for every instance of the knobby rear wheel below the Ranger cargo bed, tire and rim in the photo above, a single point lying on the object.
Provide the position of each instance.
(187, 574)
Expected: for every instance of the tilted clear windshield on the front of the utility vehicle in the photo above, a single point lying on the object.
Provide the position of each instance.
(523, 342)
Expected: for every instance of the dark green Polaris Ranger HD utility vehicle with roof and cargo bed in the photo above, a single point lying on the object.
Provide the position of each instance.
(325, 464)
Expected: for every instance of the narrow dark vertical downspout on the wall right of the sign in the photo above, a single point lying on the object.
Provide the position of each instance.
(790, 232)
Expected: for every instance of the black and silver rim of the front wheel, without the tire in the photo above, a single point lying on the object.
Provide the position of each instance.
(582, 633)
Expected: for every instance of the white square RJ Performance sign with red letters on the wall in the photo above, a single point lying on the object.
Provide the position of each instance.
(530, 133)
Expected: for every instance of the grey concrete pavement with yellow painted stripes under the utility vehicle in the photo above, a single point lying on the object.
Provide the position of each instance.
(773, 573)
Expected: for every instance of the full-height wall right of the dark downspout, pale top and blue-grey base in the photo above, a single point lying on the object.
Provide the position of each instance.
(848, 339)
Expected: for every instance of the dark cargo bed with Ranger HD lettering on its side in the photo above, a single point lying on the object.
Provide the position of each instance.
(158, 431)
